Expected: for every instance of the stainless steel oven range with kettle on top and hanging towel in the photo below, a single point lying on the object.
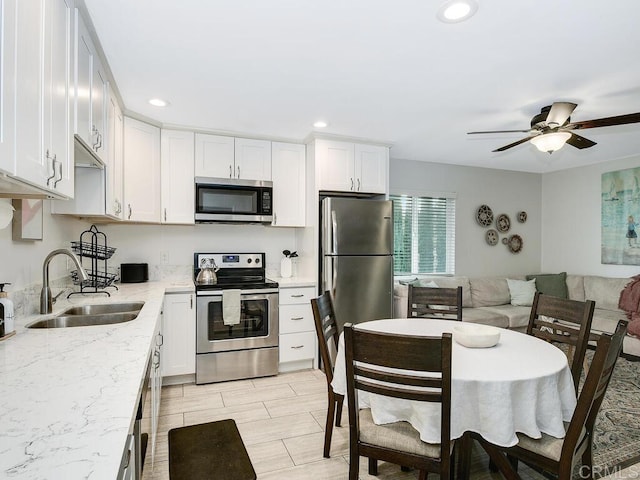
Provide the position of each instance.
(249, 348)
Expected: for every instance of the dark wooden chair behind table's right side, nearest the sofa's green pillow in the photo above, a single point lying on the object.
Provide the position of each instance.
(564, 321)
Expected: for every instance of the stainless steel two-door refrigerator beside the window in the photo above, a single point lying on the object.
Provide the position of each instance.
(356, 247)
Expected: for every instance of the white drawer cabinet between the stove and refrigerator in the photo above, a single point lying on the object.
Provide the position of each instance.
(298, 344)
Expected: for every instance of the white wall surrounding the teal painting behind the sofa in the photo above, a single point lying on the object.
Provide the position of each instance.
(571, 201)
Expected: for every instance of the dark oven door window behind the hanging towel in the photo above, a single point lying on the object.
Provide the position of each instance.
(254, 321)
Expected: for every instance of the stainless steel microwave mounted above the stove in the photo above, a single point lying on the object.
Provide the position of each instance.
(233, 200)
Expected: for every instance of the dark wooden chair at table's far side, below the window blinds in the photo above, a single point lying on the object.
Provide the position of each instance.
(441, 303)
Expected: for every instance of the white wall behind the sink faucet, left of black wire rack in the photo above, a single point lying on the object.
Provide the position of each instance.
(21, 261)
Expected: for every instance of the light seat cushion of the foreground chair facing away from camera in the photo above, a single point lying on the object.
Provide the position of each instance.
(399, 436)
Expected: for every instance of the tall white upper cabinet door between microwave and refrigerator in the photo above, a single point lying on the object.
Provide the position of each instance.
(289, 184)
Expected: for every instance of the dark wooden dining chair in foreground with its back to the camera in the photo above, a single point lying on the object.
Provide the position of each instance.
(369, 357)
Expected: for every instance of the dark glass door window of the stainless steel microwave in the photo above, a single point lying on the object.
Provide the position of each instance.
(227, 200)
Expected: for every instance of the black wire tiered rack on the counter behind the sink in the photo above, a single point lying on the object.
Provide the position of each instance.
(93, 246)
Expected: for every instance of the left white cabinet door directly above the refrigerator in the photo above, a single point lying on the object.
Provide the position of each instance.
(336, 166)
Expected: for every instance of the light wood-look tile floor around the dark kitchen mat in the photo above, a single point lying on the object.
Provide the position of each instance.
(281, 421)
